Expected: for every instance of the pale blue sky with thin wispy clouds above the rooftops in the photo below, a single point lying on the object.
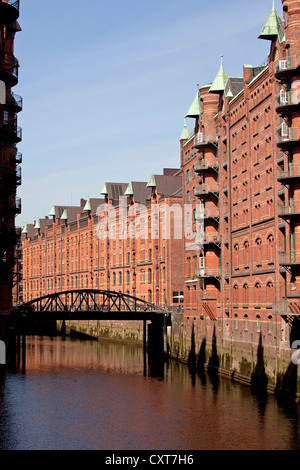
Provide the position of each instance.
(106, 85)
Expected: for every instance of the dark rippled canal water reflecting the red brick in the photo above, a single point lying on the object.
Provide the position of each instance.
(90, 395)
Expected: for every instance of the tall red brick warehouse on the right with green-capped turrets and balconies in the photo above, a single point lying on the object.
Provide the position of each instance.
(242, 166)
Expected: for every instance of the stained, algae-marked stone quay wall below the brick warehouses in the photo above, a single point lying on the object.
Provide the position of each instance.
(259, 363)
